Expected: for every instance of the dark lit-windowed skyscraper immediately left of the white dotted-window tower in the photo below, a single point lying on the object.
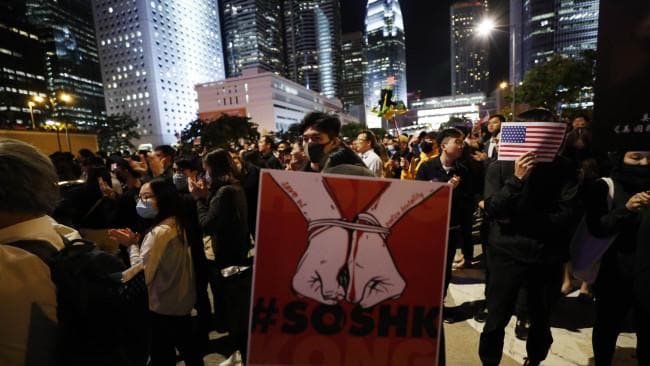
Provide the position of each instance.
(65, 29)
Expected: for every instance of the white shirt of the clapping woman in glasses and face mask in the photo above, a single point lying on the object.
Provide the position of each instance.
(168, 270)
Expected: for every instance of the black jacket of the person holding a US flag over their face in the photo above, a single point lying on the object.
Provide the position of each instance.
(532, 220)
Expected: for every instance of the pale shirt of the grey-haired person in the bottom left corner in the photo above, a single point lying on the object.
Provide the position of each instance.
(28, 305)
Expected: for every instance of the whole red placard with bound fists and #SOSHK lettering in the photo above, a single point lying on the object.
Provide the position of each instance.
(348, 270)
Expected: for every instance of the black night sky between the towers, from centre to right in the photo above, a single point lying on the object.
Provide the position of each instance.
(428, 42)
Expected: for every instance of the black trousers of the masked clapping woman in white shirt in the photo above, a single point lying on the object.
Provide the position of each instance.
(169, 332)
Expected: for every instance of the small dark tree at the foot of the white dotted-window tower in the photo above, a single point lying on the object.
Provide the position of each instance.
(117, 133)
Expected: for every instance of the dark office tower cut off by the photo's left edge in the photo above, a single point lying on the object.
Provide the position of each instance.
(22, 71)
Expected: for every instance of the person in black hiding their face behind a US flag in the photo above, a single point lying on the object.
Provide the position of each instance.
(532, 206)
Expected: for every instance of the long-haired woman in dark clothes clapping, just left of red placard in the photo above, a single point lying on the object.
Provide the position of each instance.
(223, 214)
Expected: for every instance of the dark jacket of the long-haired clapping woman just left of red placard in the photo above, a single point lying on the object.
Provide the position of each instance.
(224, 216)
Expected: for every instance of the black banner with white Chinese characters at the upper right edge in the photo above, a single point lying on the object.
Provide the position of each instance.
(622, 96)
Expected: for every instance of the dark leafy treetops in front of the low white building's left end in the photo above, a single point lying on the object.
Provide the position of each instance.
(222, 132)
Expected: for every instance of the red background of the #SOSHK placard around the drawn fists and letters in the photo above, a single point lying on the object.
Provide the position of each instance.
(418, 247)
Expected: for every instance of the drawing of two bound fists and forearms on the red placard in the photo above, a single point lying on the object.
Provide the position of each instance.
(348, 259)
